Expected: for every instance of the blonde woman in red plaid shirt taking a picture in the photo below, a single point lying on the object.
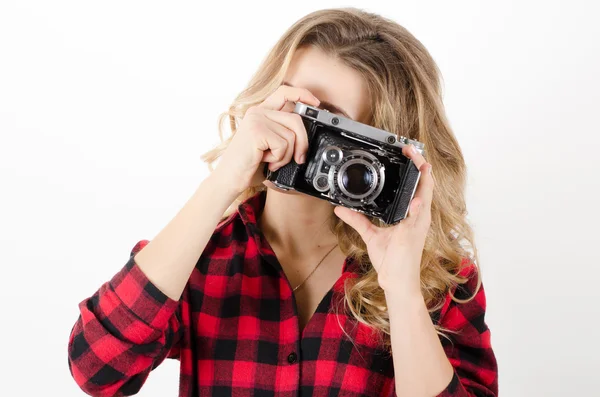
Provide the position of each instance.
(285, 294)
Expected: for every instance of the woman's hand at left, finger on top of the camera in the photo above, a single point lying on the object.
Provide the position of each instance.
(269, 133)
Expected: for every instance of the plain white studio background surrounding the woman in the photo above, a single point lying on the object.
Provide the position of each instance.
(106, 107)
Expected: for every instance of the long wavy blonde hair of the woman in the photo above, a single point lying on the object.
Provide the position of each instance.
(404, 83)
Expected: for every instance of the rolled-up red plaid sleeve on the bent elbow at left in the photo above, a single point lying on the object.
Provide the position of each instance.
(124, 330)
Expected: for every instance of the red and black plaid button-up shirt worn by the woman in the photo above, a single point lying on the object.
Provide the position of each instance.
(235, 330)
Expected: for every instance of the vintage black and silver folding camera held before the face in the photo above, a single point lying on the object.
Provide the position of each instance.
(352, 164)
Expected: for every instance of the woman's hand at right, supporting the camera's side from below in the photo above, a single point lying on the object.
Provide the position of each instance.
(396, 251)
